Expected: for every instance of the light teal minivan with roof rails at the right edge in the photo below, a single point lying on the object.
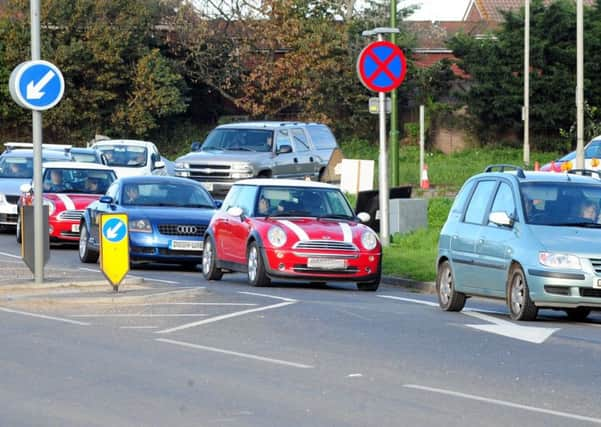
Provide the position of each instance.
(531, 238)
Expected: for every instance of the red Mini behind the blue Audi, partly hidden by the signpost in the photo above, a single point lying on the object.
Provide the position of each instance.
(69, 187)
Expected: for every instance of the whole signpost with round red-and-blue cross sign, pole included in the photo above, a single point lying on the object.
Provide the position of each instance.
(381, 67)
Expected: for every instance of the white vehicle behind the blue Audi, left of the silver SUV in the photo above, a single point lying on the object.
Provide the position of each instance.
(130, 157)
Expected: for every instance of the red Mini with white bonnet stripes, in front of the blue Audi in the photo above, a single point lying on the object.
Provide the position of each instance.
(289, 229)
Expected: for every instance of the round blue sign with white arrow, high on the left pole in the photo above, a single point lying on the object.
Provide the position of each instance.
(37, 85)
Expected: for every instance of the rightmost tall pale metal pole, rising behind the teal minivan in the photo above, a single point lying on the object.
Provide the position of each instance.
(579, 87)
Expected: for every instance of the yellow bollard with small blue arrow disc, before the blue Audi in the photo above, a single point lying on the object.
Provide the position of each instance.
(114, 247)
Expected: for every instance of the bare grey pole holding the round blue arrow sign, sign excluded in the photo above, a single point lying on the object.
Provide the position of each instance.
(38, 225)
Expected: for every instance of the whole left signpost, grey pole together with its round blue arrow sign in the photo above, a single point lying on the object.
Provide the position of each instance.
(37, 85)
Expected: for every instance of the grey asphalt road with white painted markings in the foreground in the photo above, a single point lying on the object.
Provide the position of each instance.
(225, 354)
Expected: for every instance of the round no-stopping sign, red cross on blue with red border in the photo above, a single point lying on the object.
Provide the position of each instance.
(381, 66)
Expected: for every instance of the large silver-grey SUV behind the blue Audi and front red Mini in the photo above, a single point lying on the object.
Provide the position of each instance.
(258, 149)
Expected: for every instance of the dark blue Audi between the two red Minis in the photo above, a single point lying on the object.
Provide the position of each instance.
(167, 219)
